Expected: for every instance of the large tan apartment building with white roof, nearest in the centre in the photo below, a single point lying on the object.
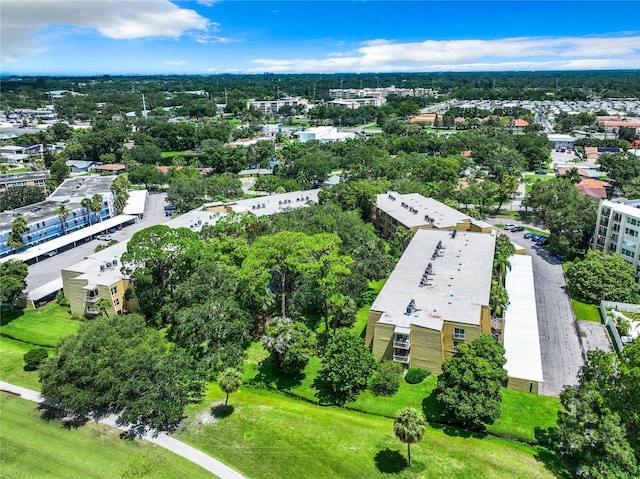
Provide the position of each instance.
(435, 298)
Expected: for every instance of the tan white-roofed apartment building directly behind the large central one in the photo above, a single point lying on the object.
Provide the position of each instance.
(415, 212)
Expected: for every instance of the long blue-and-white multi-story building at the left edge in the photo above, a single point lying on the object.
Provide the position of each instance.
(44, 221)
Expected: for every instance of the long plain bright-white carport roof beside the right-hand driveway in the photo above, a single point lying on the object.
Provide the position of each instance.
(521, 339)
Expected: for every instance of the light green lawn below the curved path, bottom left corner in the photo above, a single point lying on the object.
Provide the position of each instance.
(37, 449)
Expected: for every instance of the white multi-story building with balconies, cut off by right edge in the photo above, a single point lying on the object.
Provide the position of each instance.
(618, 230)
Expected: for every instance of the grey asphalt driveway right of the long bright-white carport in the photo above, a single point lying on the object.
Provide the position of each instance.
(563, 340)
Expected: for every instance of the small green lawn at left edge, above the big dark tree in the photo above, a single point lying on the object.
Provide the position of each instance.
(43, 326)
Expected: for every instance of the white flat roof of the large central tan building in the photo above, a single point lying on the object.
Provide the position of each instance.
(455, 291)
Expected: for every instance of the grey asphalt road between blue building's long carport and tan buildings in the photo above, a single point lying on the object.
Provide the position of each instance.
(49, 269)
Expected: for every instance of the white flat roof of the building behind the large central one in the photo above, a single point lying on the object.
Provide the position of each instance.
(414, 210)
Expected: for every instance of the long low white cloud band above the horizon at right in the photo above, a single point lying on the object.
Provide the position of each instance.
(524, 53)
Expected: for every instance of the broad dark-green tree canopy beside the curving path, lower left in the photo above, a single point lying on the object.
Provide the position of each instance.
(117, 365)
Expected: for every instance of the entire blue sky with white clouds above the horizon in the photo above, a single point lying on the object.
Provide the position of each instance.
(117, 37)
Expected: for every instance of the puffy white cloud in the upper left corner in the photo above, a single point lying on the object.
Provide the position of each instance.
(23, 20)
